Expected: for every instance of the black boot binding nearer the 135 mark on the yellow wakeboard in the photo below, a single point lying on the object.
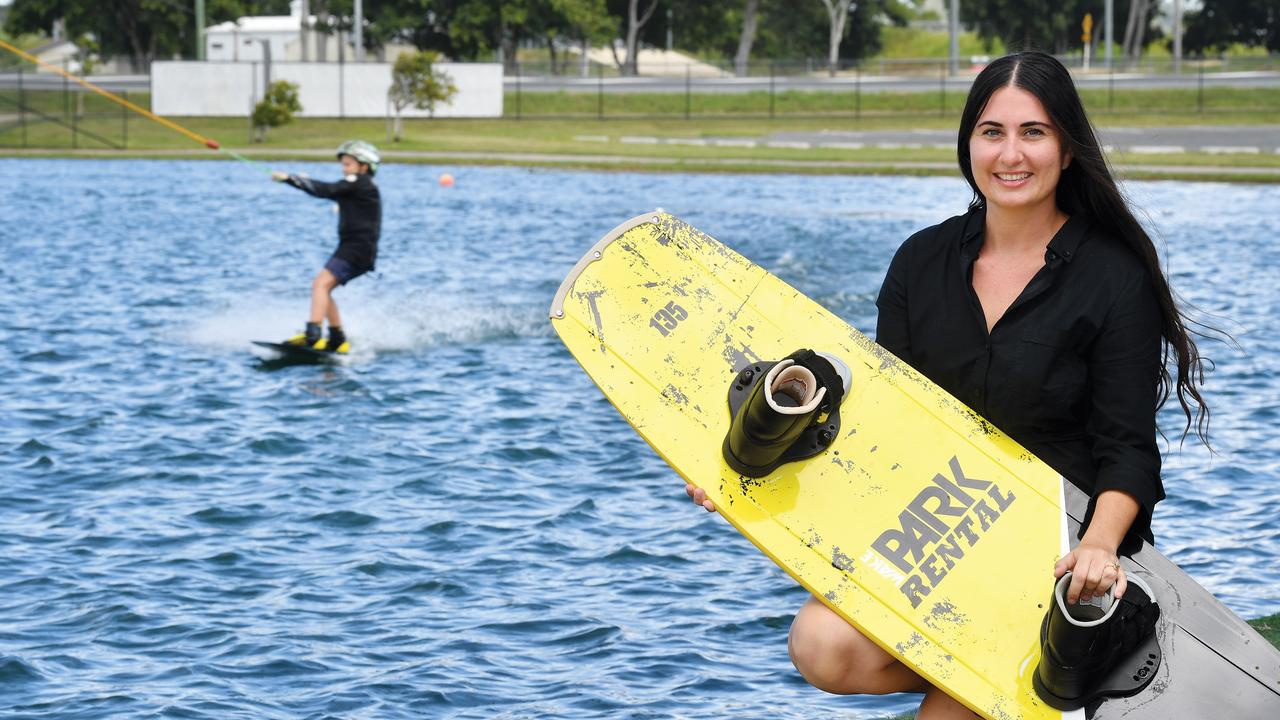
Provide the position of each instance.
(784, 412)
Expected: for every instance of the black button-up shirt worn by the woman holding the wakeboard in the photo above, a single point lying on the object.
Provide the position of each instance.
(1071, 371)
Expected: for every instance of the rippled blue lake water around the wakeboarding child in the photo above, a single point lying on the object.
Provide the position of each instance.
(458, 525)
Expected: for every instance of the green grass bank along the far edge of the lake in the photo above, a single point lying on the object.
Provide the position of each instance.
(607, 144)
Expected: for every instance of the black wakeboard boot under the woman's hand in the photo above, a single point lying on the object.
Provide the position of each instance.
(1101, 648)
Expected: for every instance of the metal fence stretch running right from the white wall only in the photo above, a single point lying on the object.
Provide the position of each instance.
(874, 89)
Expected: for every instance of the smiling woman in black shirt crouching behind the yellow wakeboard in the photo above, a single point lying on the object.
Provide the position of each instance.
(1045, 309)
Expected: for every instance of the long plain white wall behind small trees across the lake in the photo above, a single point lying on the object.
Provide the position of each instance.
(327, 90)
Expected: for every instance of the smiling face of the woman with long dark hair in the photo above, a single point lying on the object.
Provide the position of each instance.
(1016, 152)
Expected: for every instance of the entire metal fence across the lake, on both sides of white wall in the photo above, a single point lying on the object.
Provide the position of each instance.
(47, 111)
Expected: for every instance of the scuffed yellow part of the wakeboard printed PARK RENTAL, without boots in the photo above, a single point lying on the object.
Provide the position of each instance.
(922, 525)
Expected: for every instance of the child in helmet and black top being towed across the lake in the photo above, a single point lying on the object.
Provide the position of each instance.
(360, 218)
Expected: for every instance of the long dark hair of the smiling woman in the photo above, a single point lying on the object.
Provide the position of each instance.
(1089, 189)
